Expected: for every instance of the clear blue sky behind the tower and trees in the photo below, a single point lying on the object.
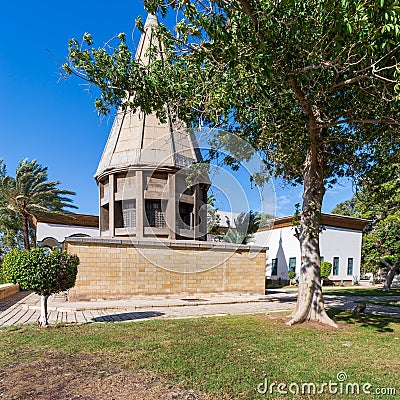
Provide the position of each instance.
(53, 120)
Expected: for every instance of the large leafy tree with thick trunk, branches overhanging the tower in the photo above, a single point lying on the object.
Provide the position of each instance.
(312, 85)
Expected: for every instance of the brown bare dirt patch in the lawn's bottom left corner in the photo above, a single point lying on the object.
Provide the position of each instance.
(84, 377)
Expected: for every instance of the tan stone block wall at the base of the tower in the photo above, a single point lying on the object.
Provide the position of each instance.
(114, 268)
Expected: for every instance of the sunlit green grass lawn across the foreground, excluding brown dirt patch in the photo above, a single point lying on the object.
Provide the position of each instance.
(224, 357)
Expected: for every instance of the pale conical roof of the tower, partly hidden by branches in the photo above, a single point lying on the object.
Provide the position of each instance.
(139, 140)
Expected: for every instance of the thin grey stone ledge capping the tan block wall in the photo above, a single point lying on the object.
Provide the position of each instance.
(194, 244)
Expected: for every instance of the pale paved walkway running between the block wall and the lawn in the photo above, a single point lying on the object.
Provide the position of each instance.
(24, 307)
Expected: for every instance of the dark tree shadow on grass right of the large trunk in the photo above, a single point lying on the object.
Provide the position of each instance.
(380, 324)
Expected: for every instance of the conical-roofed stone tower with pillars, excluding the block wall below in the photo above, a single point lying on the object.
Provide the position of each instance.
(142, 173)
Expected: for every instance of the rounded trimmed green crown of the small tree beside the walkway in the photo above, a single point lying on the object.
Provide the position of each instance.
(44, 273)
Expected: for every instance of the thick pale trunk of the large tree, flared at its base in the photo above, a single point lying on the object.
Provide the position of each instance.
(310, 305)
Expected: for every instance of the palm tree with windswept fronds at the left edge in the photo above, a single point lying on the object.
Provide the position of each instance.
(30, 194)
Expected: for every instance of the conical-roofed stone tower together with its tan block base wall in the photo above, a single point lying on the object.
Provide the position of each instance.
(144, 199)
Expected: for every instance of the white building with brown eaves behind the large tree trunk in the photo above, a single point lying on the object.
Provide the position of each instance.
(340, 244)
